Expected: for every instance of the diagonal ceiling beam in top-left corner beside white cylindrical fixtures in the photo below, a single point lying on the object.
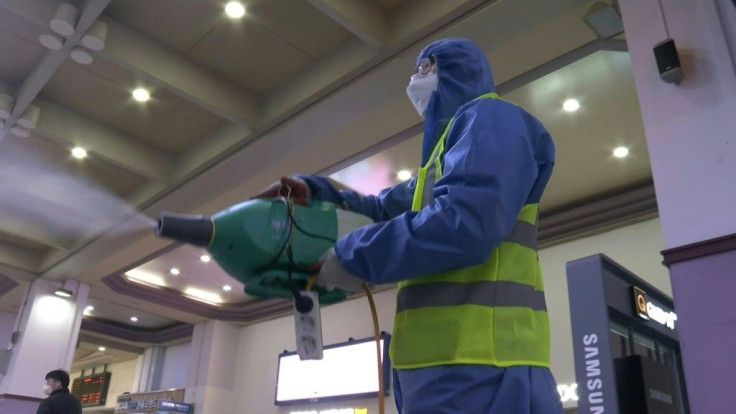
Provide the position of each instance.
(51, 60)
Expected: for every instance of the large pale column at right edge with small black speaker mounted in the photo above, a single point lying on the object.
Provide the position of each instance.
(691, 136)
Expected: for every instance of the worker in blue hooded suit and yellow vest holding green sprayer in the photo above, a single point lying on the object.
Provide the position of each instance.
(471, 331)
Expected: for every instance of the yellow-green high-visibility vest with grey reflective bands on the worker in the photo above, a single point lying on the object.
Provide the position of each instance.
(493, 313)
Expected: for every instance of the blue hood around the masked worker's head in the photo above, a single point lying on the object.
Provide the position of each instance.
(464, 74)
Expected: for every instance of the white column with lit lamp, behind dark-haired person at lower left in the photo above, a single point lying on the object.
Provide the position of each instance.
(44, 339)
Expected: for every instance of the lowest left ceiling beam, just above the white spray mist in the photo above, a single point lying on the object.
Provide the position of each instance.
(67, 127)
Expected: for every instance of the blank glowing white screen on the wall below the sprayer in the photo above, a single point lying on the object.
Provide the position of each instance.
(348, 370)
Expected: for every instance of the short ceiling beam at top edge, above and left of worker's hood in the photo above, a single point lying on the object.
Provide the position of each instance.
(366, 19)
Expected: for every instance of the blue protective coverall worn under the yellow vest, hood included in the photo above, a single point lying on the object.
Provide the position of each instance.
(497, 158)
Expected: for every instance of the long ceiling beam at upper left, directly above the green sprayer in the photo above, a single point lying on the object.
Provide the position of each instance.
(159, 65)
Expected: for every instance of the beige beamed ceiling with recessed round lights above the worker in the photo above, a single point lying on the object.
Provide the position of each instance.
(295, 86)
